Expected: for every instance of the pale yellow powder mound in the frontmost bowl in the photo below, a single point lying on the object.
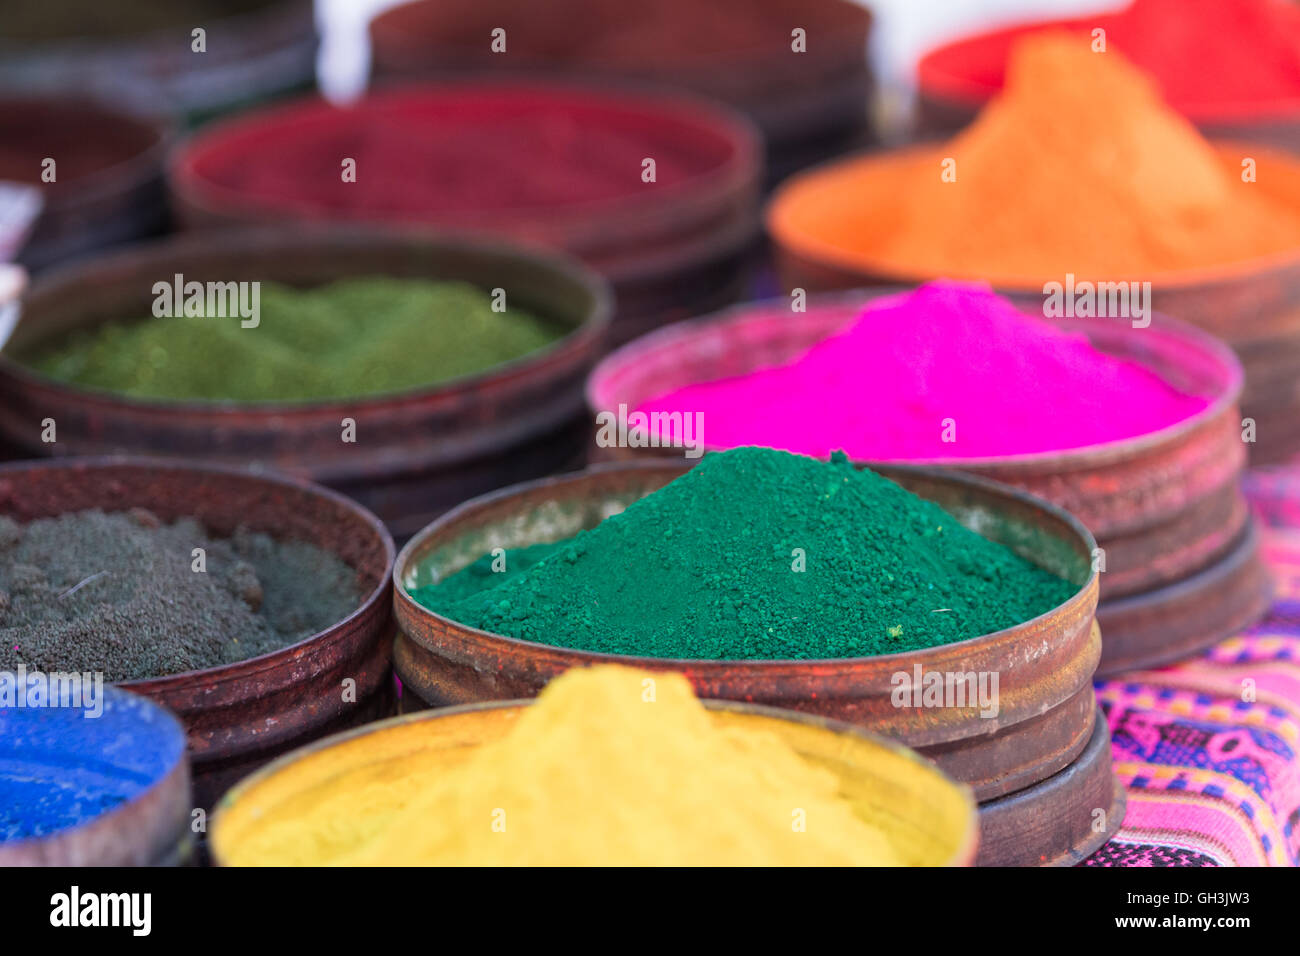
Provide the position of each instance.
(610, 767)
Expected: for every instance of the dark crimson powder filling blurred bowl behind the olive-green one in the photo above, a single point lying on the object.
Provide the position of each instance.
(476, 155)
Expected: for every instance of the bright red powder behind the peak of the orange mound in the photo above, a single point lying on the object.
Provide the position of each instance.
(1214, 59)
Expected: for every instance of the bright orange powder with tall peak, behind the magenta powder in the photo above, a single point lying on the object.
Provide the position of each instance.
(1078, 167)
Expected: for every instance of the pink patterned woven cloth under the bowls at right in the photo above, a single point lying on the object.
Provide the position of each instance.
(1215, 780)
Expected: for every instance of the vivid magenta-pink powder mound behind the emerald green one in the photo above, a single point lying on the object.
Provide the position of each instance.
(882, 388)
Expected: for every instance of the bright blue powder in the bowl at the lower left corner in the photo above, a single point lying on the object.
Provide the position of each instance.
(60, 767)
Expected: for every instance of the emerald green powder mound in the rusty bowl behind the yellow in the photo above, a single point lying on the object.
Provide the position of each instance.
(704, 569)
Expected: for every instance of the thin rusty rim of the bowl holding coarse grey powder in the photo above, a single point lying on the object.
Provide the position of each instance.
(236, 672)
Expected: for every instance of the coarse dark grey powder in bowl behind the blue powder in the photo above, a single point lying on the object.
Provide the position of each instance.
(119, 594)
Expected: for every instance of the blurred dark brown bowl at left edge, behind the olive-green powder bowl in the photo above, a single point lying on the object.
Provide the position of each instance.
(110, 174)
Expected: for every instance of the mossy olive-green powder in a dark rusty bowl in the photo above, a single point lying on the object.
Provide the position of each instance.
(348, 339)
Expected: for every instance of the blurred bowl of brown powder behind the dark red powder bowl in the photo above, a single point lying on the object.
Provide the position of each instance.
(808, 106)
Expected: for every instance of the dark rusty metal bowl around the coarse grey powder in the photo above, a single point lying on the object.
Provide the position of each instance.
(242, 715)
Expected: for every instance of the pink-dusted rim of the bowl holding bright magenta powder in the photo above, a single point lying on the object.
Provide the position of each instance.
(678, 335)
